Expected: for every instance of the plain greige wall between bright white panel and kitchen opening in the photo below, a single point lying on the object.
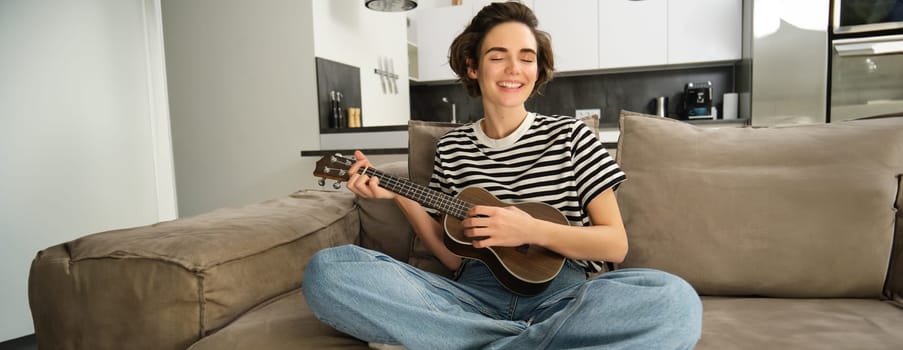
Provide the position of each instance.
(242, 91)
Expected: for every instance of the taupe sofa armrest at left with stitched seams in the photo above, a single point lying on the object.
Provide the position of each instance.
(164, 286)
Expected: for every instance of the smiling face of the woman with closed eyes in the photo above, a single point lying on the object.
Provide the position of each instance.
(507, 69)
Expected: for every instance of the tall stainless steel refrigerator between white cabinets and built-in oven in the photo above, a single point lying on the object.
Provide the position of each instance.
(785, 62)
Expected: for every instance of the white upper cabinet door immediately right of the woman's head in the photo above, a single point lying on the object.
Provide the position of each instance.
(574, 28)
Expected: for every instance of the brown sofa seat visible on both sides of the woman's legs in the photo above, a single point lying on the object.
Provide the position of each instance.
(730, 323)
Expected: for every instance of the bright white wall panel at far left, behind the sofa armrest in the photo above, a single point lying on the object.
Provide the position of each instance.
(83, 131)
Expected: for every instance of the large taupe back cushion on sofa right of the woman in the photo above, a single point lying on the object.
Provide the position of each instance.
(803, 211)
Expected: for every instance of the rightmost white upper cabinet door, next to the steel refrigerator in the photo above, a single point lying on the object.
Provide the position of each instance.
(704, 30)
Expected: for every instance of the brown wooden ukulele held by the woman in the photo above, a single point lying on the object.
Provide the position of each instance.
(525, 270)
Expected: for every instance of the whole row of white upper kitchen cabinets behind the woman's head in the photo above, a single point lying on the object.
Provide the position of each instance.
(591, 35)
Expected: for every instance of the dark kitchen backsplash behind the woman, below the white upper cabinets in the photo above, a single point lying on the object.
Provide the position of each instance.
(609, 92)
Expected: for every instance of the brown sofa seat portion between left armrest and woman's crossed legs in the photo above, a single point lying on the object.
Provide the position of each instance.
(284, 323)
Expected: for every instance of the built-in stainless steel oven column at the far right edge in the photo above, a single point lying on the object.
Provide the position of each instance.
(866, 58)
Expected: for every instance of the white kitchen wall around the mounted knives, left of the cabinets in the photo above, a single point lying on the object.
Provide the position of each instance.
(348, 32)
